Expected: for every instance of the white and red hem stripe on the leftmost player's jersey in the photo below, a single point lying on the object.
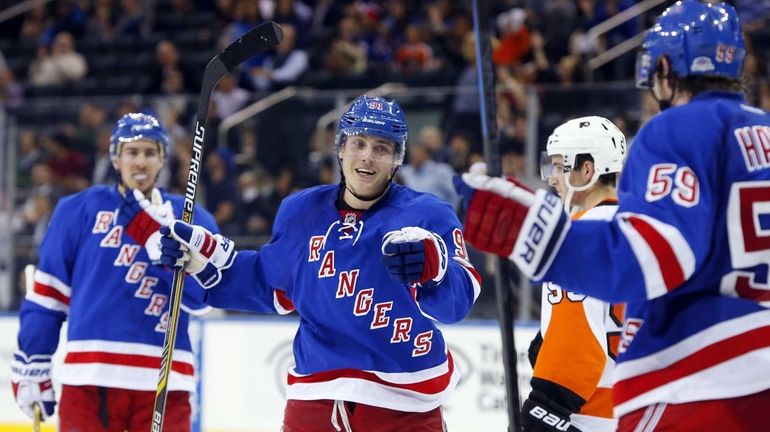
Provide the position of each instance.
(132, 366)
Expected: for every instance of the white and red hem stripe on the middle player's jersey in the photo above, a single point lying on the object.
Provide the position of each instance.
(419, 391)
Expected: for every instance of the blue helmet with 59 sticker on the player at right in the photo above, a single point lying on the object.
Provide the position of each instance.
(699, 39)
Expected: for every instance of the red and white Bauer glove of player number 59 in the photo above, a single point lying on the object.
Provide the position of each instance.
(506, 218)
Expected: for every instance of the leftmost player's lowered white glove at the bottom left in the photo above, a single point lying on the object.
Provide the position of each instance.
(31, 383)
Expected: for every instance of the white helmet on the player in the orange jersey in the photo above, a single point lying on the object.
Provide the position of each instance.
(593, 135)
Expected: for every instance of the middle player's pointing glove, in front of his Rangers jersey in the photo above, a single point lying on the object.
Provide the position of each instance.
(414, 255)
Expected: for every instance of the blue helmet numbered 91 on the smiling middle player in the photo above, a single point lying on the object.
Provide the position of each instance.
(374, 116)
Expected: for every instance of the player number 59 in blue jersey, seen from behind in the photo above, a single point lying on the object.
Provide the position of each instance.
(688, 248)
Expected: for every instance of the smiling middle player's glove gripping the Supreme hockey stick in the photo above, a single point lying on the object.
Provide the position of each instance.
(202, 254)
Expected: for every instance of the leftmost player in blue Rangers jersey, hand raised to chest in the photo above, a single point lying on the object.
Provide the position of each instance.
(96, 272)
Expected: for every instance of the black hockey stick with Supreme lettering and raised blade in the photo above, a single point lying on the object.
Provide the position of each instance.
(255, 41)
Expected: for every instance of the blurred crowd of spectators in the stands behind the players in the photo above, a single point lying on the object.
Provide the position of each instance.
(152, 60)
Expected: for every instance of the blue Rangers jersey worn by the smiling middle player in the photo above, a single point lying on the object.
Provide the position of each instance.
(362, 337)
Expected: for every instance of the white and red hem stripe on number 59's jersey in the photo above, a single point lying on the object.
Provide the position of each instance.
(696, 367)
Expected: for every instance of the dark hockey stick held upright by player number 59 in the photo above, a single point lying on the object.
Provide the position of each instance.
(488, 106)
